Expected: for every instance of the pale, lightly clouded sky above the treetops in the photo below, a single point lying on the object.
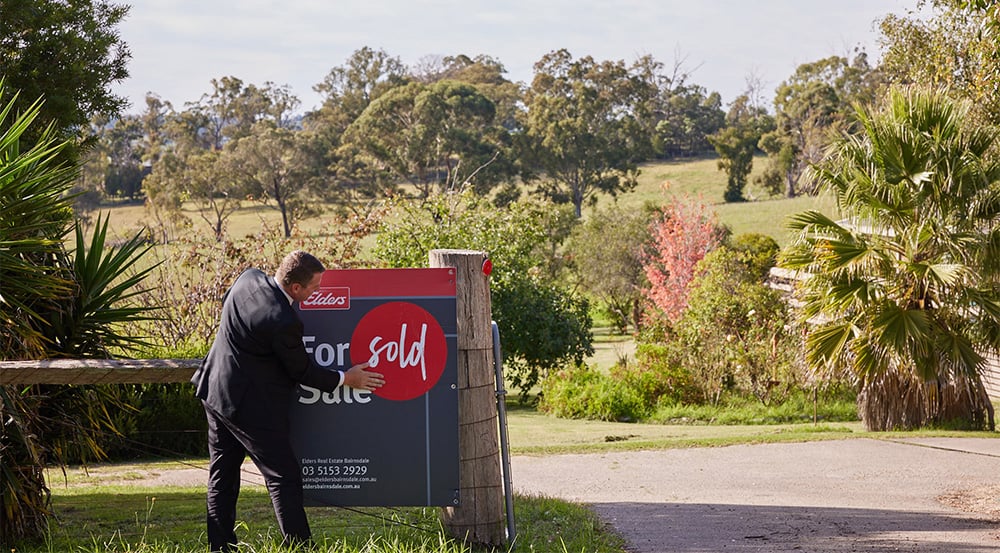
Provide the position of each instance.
(179, 46)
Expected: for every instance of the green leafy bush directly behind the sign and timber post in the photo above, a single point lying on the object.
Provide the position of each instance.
(542, 325)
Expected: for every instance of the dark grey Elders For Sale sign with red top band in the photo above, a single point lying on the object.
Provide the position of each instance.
(397, 445)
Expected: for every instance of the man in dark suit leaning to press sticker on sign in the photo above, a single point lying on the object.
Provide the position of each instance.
(246, 384)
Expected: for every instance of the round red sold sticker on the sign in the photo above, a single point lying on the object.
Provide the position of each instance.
(403, 342)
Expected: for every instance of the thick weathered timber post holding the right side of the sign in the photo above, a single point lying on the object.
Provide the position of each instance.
(479, 516)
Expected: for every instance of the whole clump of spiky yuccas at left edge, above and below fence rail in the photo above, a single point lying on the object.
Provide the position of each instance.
(53, 303)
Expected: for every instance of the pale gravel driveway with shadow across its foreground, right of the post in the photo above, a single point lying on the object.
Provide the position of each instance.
(928, 495)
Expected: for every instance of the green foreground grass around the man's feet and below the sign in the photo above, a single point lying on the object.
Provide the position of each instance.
(123, 519)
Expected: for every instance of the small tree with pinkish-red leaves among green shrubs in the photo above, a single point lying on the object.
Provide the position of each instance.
(681, 235)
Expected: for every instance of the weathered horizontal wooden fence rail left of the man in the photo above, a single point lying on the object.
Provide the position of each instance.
(97, 371)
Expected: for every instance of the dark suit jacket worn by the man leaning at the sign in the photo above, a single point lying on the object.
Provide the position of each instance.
(258, 358)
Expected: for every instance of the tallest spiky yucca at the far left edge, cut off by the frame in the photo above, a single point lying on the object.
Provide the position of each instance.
(35, 216)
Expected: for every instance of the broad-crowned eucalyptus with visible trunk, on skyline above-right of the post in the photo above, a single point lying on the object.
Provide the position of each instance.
(585, 127)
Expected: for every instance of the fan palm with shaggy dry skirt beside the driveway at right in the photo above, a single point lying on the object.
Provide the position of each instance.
(903, 292)
